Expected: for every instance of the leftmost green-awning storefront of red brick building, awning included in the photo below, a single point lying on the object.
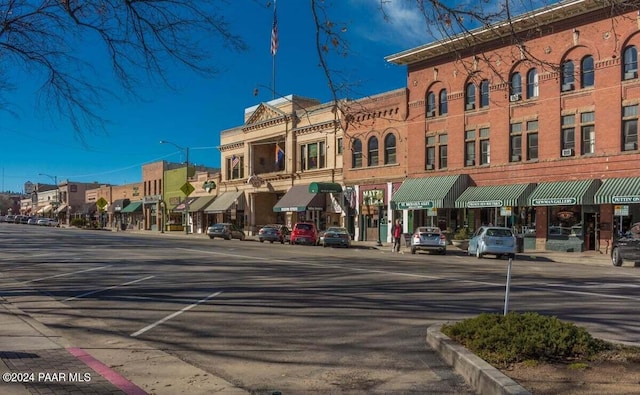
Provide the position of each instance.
(430, 201)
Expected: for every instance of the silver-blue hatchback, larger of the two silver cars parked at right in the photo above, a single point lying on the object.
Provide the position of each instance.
(494, 240)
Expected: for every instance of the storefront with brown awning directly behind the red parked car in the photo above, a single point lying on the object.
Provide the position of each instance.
(299, 204)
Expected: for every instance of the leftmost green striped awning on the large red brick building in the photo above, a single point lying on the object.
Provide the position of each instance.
(429, 192)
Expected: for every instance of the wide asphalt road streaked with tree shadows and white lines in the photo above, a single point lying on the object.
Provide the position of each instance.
(270, 317)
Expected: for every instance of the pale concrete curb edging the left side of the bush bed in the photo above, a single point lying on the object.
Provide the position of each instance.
(480, 375)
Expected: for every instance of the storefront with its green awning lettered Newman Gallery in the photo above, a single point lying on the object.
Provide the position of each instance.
(567, 218)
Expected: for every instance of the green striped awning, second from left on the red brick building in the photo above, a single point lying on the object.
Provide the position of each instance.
(495, 196)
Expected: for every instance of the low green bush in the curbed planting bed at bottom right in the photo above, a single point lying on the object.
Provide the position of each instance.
(502, 340)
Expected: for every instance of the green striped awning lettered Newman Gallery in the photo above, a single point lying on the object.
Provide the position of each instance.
(564, 193)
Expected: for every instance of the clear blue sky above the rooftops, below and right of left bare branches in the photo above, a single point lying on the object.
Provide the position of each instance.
(194, 115)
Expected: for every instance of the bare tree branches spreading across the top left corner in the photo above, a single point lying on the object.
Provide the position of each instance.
(41, 38)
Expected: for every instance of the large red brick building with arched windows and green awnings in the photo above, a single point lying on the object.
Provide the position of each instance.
(537, 132)
